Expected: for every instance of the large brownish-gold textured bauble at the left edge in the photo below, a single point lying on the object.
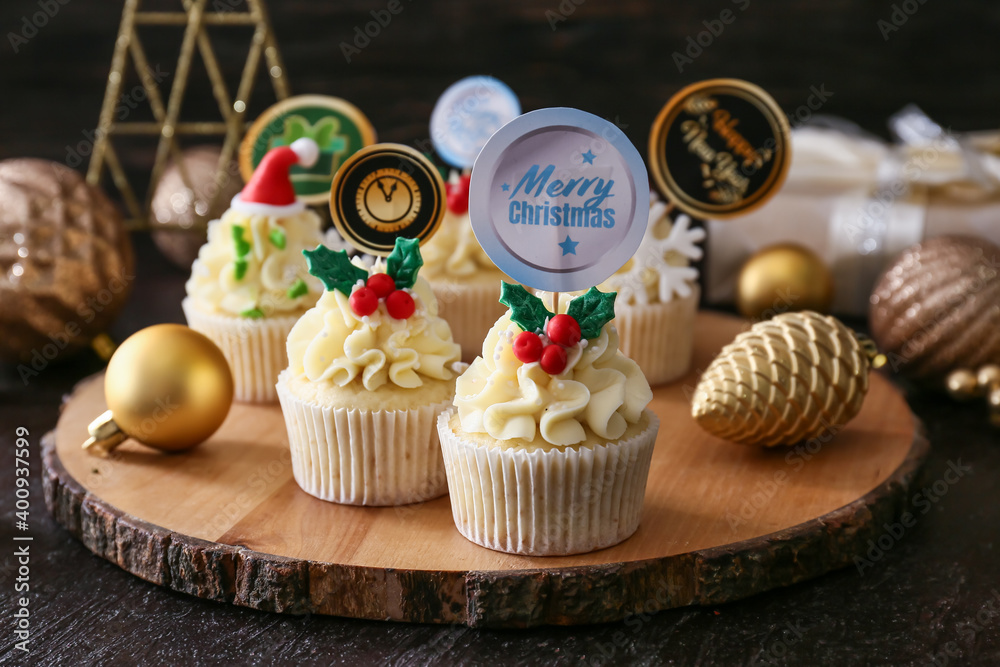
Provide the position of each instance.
(66, 264)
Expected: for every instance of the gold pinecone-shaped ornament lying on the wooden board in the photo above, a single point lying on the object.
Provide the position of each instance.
(788, 379)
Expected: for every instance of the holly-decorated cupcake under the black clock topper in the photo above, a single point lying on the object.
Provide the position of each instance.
(370, 368)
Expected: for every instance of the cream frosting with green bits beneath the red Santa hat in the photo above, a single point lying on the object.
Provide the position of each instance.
(258, 281)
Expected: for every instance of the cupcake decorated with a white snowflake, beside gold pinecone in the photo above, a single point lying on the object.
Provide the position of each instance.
(658, 296)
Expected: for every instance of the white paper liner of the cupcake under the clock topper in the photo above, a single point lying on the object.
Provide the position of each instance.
(364, 457)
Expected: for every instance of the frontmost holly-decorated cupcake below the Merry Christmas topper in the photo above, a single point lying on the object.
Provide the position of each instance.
(548, 447)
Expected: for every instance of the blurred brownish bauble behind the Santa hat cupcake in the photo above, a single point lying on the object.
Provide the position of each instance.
(177, 206)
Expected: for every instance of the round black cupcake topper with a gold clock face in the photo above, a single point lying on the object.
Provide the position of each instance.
(383, 192)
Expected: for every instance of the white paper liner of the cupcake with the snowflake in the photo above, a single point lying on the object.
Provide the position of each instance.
(659, 336)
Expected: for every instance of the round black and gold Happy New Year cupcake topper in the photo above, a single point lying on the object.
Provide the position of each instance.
(719, 148)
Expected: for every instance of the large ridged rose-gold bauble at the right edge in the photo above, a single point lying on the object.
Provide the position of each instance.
(937, 307)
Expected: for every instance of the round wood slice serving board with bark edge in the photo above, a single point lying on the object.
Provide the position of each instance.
(227, 522)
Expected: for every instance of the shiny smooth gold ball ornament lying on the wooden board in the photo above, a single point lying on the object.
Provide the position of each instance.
(167, 386)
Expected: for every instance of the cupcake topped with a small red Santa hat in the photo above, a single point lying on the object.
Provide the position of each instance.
(250, 282)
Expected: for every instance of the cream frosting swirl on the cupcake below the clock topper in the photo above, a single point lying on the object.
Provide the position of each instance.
(331, 343)
